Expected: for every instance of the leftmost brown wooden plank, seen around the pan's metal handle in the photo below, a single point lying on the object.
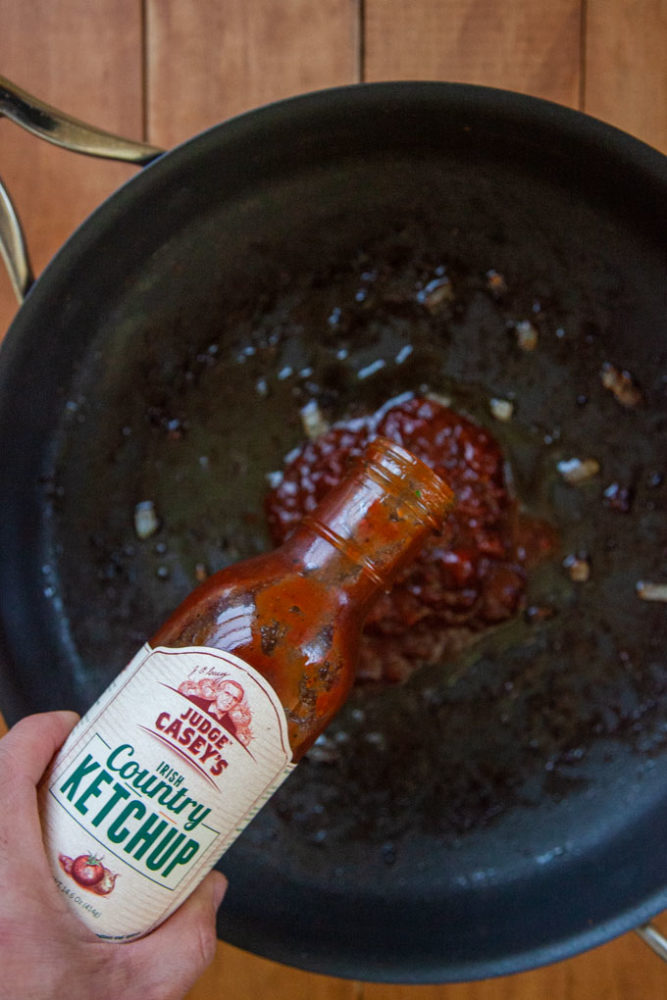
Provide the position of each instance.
(86, 59)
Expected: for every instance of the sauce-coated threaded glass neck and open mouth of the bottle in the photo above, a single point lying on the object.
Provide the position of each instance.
(369, 527)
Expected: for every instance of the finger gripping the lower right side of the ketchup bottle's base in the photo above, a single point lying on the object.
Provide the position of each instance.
(174, 955)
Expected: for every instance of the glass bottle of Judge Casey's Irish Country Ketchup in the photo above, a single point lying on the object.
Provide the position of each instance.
(192, 738)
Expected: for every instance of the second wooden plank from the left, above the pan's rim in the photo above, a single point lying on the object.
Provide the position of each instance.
(209, 61)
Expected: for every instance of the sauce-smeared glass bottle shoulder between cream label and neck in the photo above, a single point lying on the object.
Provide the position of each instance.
(297, 631)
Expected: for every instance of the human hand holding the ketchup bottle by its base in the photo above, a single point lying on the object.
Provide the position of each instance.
(45, 951)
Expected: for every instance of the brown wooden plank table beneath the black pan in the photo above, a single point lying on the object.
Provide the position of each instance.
(164, 69)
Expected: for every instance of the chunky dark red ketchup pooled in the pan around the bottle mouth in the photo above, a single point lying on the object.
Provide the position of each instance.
(469, 576)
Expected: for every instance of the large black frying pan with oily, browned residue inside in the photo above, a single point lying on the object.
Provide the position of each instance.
(494, 813)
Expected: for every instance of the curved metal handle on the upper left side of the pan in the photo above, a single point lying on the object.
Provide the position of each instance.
(60, 129)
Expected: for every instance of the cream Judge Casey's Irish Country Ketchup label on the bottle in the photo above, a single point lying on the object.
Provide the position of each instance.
(156, 781)
